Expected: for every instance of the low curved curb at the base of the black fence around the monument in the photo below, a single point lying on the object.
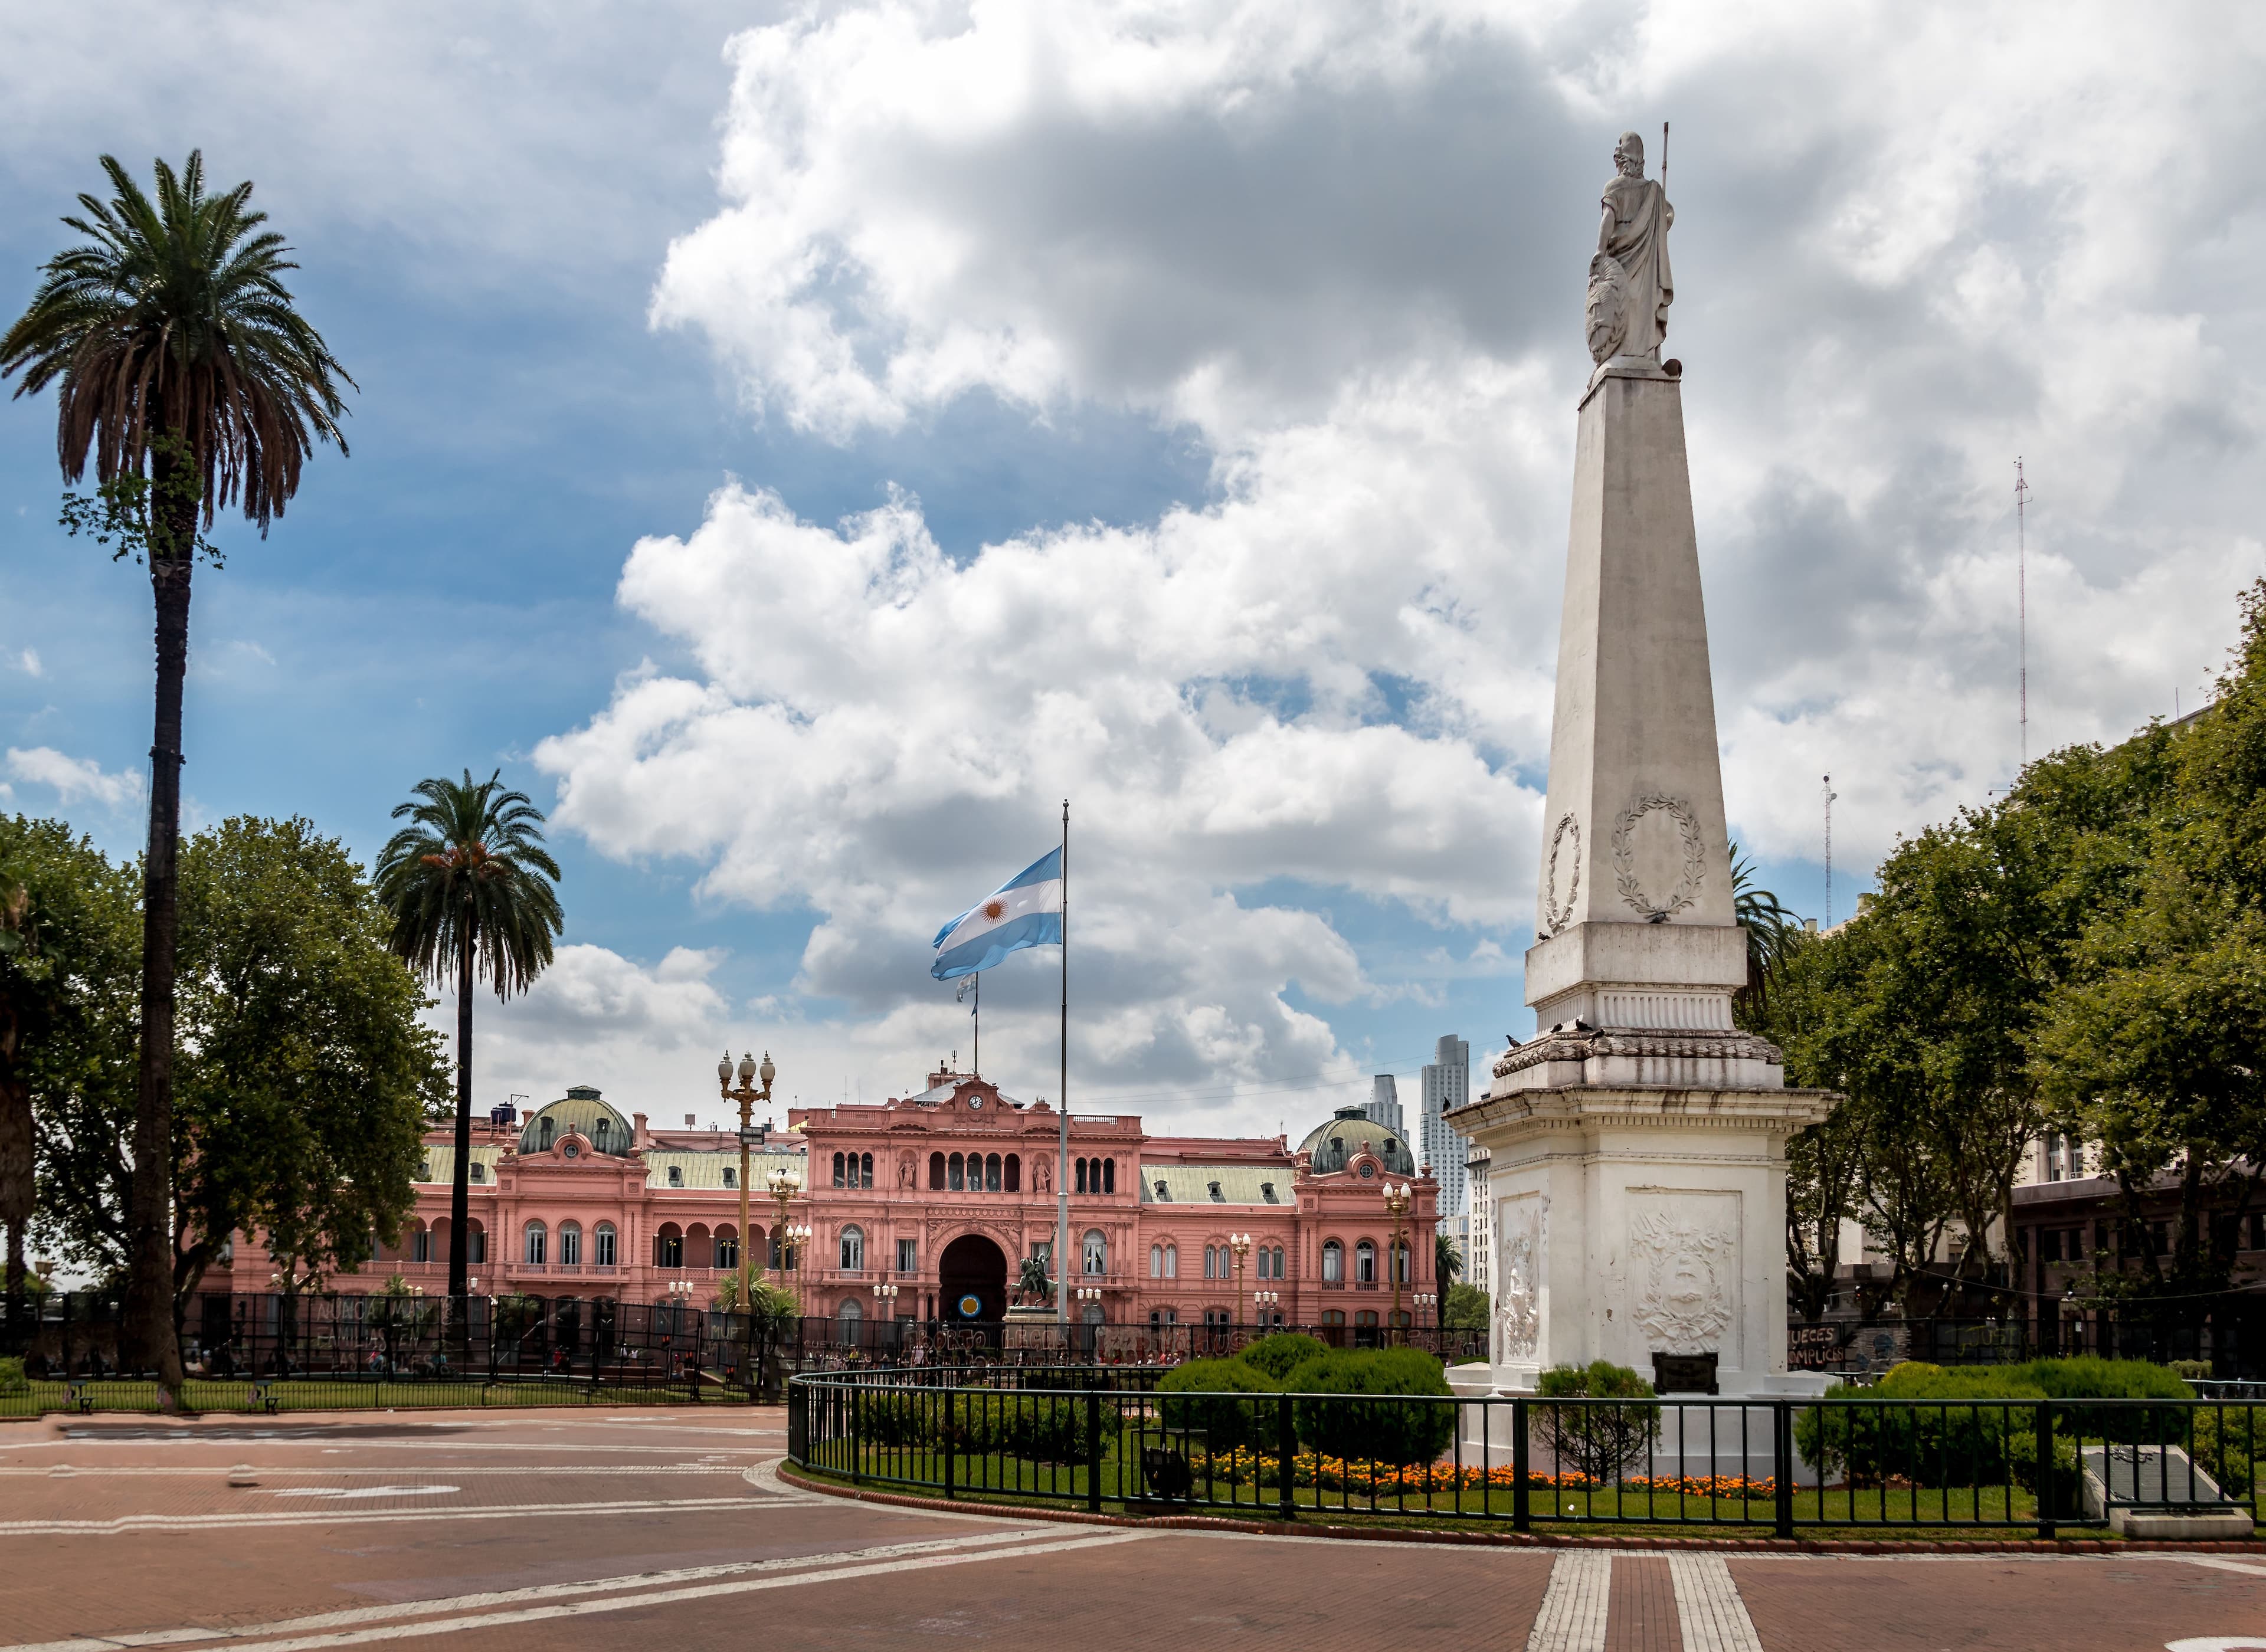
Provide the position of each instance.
(1519, 1540)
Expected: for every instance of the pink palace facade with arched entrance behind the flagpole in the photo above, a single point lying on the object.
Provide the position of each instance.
(939, 1195)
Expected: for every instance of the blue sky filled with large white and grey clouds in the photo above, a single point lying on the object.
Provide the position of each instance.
(806, 445)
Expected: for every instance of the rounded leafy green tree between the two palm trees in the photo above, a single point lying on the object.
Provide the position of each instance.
(305, 1073)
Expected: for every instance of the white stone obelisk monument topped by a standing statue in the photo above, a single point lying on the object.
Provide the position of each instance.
(1639, 1141)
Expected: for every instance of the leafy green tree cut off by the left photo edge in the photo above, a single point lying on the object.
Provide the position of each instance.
(67, 1000)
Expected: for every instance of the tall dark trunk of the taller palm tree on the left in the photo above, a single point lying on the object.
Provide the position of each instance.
(148, 1331)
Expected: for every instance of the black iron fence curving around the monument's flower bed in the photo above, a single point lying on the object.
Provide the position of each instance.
(1111, 1438)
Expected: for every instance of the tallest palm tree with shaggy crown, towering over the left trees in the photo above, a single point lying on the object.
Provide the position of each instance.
(182, 364)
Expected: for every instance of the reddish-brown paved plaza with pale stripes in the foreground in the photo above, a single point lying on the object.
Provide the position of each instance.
(672, 1531)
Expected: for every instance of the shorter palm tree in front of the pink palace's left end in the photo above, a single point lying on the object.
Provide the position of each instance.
(470, 894)
